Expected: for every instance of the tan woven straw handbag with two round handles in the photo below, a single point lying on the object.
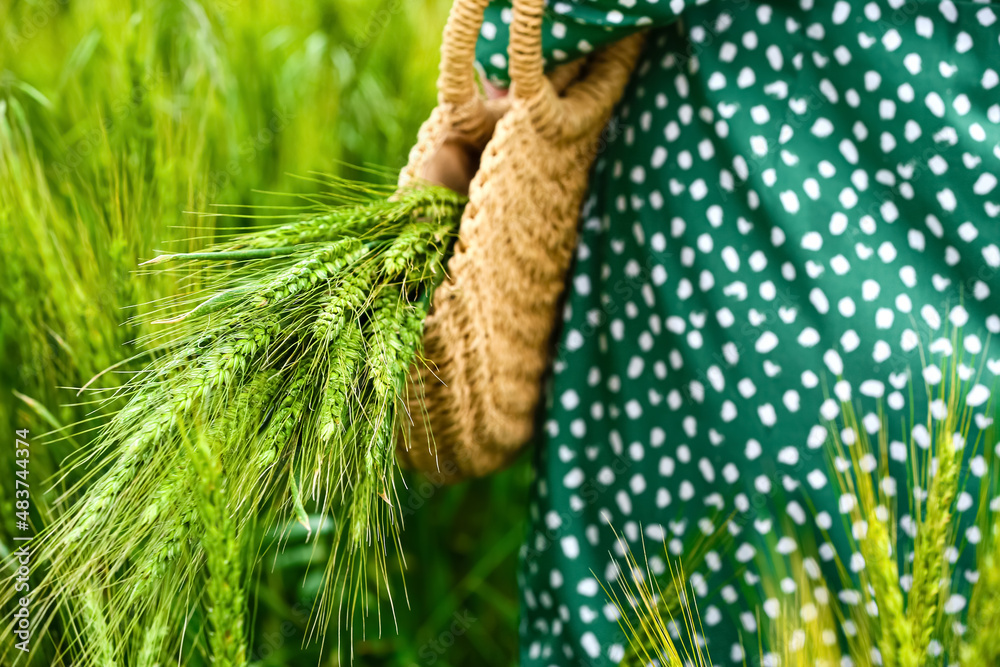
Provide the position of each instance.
(487, 339)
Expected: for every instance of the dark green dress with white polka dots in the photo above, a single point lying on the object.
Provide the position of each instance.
(798, 205)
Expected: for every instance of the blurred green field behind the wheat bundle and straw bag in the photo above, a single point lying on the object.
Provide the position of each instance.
(118, 120)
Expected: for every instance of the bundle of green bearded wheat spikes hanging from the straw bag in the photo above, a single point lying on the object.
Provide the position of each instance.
(280, 384)
